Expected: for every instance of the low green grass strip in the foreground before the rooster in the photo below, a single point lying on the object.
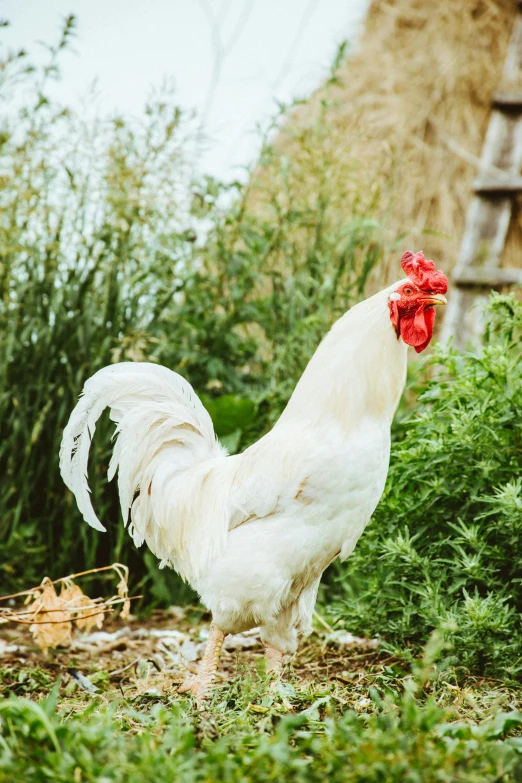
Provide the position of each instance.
(253, 732)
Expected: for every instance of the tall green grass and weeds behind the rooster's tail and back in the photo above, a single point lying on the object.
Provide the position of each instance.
(110, 251)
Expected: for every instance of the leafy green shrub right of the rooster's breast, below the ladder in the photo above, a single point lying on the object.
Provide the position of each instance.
(445, 546)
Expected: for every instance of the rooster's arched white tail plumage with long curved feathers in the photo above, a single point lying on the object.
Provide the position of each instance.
(166, 451)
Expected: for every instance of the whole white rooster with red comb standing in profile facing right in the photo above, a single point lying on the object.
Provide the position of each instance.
(253, 532)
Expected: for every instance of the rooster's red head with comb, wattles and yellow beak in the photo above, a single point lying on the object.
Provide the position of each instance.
(412, 302)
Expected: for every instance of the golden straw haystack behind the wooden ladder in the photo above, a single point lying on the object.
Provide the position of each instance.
(412, 111)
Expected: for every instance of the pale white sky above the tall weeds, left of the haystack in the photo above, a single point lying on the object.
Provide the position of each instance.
(273, 49)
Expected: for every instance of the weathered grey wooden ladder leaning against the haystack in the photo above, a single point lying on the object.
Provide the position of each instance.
(478, 267)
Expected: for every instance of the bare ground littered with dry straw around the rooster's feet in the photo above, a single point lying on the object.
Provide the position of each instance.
(146, 660)
